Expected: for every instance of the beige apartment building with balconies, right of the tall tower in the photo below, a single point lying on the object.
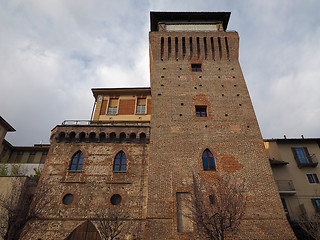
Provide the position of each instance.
(295, 168)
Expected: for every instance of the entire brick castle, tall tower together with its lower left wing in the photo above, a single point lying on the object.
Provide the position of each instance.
(142, 146)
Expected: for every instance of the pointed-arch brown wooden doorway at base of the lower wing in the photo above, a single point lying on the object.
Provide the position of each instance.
(85, 231)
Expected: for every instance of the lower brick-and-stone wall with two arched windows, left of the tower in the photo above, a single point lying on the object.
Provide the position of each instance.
(95, 184)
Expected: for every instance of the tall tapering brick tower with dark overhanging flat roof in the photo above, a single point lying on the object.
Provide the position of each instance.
(200, 101)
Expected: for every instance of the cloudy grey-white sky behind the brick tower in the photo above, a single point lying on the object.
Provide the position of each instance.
(53, 52)
